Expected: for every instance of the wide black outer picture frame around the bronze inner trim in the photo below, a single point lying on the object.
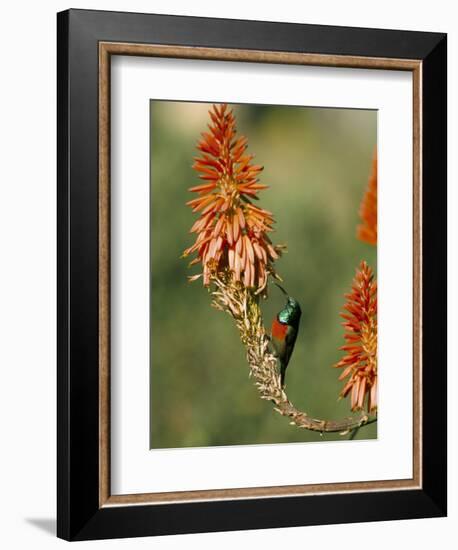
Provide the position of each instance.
(80, 516)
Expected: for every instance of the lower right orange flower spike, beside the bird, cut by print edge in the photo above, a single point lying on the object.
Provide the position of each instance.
(360, 361)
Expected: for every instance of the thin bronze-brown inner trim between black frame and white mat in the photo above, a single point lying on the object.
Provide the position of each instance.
(106, 49)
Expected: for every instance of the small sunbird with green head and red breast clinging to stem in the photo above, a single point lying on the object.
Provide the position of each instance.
(284, 332)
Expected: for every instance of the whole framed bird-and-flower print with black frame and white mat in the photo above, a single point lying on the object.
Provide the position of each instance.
(252, 274)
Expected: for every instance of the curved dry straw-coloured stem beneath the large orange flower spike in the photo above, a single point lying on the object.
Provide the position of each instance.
(242, 305)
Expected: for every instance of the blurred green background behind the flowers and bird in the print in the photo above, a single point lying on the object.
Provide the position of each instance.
(317, 163)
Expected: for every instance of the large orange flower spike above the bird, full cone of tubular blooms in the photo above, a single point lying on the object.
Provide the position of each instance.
(232, 233)
